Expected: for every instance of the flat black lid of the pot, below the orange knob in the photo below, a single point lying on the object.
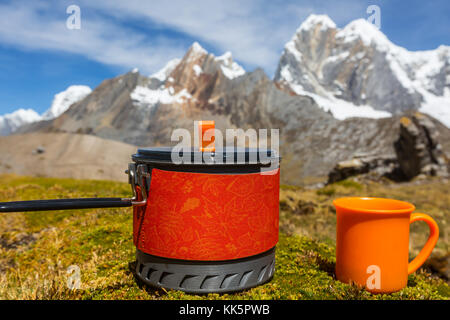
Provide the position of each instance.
(227, 155)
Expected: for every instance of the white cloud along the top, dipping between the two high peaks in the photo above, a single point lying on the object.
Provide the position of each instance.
(255, 31)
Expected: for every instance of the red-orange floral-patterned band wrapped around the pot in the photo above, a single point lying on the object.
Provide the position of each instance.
(209, 217)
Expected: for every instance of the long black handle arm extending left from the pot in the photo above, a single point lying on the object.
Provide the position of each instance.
(64, 204)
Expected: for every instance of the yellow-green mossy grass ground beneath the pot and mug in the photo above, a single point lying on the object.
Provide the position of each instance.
(37, 248)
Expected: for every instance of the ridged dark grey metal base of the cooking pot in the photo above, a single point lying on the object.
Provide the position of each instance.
(205, 276)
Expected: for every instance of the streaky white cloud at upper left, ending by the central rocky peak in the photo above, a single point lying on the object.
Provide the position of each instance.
(98, 39)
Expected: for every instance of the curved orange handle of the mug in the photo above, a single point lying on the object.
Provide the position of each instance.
(429, 245)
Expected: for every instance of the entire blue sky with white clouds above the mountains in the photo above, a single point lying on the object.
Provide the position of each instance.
(40, 56)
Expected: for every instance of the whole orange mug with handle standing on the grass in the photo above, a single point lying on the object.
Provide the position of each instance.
(373, 242)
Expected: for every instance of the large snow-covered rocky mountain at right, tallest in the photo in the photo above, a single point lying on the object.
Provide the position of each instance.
(357, 71)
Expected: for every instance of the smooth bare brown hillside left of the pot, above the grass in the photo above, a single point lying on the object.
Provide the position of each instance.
(65, 155)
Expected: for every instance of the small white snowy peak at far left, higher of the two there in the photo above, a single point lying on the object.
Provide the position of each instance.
(63, 100)
